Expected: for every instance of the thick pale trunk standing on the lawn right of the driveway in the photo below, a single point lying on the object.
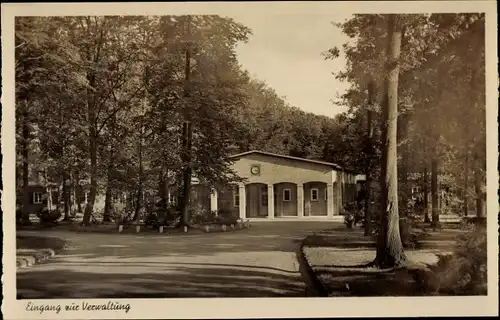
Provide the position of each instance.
(390, 251)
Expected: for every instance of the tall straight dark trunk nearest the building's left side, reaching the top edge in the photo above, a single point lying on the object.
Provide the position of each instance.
(187, 134)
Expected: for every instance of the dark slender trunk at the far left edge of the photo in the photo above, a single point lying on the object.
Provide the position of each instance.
(25, 217)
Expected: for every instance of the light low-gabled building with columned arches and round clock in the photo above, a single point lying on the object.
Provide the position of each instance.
(277, 186)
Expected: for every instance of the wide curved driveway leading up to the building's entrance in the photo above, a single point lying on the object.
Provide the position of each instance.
(256, 262)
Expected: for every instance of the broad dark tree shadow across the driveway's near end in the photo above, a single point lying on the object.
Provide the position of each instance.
(171, 280)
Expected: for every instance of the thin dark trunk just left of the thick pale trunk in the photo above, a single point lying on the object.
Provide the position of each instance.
(369, 166)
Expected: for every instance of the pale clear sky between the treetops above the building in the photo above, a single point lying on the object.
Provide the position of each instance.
(285, 52)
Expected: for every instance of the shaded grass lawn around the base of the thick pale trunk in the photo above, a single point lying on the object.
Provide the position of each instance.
(339, 256)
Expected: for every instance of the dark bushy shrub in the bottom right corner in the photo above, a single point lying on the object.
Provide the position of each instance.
(463, 272)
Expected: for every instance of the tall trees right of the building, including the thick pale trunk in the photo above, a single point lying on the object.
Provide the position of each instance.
(418, 100)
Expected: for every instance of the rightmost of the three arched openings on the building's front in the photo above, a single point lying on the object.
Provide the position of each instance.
(315, 198)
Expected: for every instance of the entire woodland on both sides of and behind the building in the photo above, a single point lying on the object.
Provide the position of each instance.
(134, 103)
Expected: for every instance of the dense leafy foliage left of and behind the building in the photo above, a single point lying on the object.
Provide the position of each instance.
(108, 97)
